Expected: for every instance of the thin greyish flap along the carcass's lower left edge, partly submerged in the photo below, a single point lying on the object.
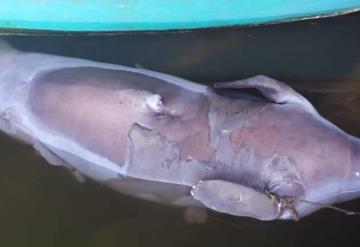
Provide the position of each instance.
(55, 160)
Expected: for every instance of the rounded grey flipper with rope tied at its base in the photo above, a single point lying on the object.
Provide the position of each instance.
(235, 199)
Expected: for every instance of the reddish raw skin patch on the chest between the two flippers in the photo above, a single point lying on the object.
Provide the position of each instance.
(314, 135)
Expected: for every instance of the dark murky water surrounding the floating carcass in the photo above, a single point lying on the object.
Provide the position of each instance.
(42, 205)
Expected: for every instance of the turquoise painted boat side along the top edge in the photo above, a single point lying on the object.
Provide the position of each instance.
(134, 15)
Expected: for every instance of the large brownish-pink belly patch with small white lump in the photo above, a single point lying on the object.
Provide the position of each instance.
(111, 102)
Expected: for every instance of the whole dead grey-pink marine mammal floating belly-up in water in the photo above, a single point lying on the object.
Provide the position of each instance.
(166, 139)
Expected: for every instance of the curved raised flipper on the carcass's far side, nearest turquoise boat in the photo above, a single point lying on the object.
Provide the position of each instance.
(275, 91)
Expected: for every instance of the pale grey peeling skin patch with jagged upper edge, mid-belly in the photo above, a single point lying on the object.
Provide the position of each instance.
(163, 161)
